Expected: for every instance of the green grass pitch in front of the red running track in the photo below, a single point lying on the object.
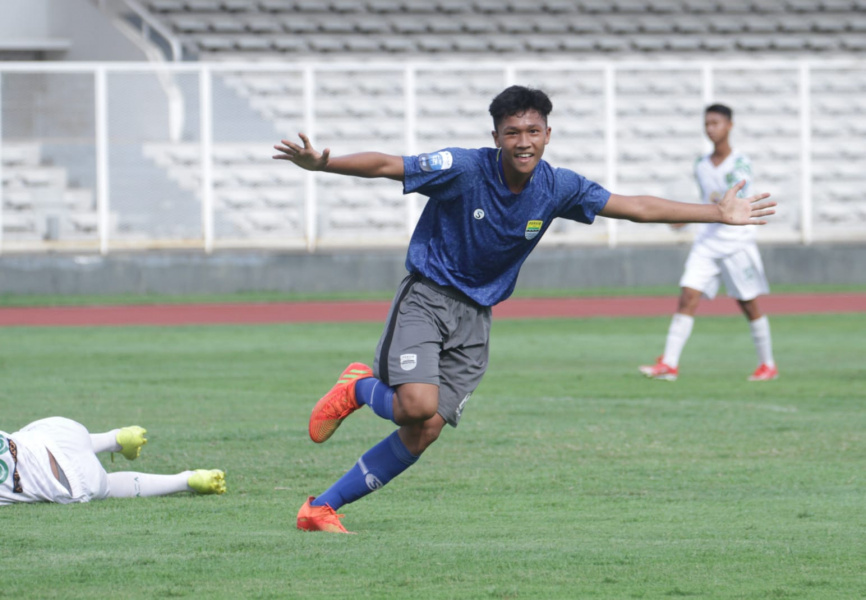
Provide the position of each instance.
(570, 477)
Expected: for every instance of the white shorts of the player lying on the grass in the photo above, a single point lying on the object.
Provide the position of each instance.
(69, 442)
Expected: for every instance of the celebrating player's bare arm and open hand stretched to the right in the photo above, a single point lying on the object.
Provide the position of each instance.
(731, 210)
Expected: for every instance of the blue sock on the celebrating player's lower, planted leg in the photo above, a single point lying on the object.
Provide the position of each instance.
(379, 465)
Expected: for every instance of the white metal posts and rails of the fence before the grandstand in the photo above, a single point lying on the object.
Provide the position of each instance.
(312, 238)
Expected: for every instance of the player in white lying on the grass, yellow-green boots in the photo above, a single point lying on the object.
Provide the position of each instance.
(54, 460)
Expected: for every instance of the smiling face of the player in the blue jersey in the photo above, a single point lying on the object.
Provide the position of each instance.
(522, 138)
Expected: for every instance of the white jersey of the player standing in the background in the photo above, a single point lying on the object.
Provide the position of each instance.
(714, 181)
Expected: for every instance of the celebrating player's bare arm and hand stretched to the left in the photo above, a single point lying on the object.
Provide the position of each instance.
(363, 164)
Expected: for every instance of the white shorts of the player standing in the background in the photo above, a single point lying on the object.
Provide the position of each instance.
(740, 268)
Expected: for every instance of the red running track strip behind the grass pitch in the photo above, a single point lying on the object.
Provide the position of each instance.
(324, 312)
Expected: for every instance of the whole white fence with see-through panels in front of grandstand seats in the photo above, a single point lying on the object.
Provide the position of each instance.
(120, 156)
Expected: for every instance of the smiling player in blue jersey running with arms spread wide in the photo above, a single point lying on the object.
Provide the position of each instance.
(488, 209)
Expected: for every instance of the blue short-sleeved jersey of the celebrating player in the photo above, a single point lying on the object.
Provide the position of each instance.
(475, 233)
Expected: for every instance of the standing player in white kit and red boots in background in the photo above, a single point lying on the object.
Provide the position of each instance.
(720, 253)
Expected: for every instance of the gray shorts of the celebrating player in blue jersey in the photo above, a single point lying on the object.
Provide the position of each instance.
(437, 335)
